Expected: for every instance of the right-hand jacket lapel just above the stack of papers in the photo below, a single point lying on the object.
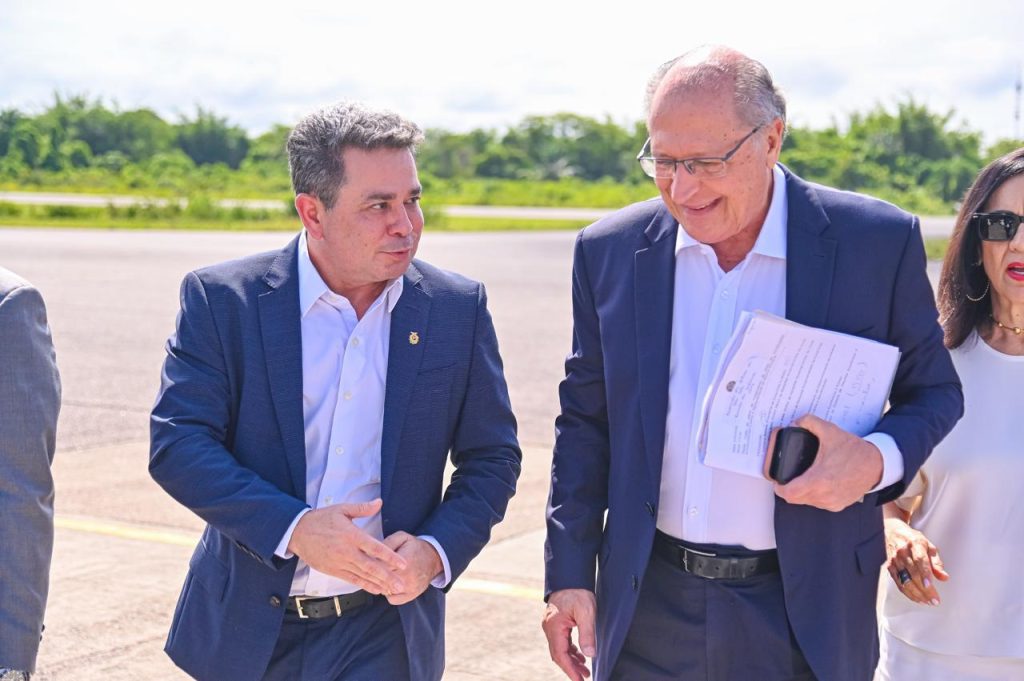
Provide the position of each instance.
(810, 256)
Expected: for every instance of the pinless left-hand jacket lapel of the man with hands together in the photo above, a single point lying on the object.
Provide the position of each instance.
(282, 331)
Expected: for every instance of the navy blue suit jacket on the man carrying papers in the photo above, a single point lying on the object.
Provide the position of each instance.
(855, 265)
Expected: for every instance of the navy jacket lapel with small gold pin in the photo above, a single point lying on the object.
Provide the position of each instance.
(409, 317)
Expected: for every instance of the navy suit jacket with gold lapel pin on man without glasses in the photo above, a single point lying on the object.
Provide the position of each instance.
(228, 442)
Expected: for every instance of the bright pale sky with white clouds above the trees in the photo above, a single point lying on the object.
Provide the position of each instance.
(463, 65)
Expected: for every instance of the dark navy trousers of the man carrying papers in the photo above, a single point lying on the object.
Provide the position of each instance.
(691, 628)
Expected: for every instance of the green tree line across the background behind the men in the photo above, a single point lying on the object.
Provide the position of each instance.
(908, 154)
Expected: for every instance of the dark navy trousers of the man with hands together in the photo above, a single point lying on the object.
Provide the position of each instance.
(364, 645)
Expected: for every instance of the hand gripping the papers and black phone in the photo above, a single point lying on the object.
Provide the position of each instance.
(846, 469)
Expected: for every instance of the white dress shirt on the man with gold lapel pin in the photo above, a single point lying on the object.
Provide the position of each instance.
(345, 371)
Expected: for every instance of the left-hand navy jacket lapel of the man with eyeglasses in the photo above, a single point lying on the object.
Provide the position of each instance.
(655, 285)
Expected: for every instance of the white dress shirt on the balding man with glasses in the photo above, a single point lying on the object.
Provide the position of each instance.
(698, 503)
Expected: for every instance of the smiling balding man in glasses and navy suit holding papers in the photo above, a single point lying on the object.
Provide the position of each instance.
(701, 573)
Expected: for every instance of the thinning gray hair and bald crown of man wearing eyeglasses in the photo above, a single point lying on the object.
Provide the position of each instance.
(757, 99)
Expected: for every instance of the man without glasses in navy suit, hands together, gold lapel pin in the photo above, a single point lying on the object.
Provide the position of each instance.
(309, 404)
